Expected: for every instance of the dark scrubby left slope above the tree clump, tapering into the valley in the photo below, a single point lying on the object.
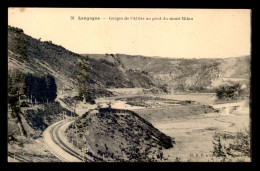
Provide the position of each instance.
(70, 70)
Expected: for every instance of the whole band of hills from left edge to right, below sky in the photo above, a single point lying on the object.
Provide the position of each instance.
(97, 71)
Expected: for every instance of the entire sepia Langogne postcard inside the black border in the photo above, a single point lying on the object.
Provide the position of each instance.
(129, 85)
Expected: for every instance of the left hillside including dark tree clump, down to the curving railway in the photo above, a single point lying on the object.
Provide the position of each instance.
(42, 74)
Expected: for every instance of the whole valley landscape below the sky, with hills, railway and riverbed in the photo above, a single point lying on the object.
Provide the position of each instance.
(68, 107)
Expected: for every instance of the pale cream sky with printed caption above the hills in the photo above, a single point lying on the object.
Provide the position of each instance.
(212, 33)
